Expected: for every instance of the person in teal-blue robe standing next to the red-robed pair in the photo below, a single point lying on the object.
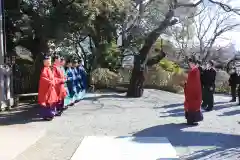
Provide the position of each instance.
(70, 99)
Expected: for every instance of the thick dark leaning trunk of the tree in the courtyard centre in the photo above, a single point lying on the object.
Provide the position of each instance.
(135, 88)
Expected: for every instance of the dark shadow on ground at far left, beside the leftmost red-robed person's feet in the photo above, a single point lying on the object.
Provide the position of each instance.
(20, 115)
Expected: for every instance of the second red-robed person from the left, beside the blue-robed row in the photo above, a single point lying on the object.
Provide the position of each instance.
(59, 84)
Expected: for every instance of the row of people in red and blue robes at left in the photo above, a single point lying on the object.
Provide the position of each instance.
(62, 84)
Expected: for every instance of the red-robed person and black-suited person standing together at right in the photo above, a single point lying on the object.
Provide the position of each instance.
(199, 89)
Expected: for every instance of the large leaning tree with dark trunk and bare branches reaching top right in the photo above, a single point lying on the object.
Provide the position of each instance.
(135, 88)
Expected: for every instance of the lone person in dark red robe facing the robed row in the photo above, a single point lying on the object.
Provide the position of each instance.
(193, 95)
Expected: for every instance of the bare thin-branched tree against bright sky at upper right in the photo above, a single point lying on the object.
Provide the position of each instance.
(211, 25)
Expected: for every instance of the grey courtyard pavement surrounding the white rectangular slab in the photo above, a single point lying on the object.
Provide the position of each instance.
(157, 113)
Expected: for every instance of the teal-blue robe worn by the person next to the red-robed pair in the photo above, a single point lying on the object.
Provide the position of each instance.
(71, 88)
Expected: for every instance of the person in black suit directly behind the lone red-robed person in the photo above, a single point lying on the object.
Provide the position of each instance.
(208, 85)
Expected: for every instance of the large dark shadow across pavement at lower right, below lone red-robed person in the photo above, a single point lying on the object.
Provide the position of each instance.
(180, 138)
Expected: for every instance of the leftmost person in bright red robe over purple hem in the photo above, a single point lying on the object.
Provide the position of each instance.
(47, 96)
